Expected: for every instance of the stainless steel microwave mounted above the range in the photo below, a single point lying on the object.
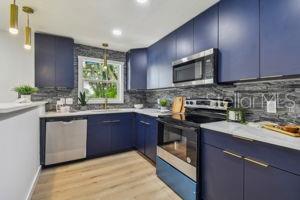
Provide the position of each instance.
(198, 69)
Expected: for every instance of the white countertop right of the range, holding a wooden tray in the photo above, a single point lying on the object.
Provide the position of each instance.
(254, 133)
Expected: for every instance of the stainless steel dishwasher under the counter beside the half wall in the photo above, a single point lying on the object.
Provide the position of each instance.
(65, 140)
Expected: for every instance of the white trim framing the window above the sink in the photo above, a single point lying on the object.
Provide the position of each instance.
(81, 59)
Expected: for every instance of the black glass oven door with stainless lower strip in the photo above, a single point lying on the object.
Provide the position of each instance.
(177, 145)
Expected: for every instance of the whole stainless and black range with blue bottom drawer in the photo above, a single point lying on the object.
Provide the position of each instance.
(179, 144)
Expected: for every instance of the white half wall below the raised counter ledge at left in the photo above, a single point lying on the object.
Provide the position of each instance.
(19, 153)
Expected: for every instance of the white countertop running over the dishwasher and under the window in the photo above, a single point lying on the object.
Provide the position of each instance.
(145, 111)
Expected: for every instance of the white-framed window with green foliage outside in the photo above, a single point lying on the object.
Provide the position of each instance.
(99, 81)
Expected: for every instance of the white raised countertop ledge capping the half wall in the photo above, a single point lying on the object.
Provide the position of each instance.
(14, 107)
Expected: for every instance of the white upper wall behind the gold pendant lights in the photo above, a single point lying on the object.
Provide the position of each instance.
(16, 65)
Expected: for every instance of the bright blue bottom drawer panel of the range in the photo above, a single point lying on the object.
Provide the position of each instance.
(178, 182)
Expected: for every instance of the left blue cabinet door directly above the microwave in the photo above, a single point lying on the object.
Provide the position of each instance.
(185, 40)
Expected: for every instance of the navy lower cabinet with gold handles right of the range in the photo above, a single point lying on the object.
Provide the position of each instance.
(235, 168)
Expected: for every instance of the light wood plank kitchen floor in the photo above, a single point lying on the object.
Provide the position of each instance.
(119, 177)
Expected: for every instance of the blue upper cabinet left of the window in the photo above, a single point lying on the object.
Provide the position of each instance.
(54, 61)
